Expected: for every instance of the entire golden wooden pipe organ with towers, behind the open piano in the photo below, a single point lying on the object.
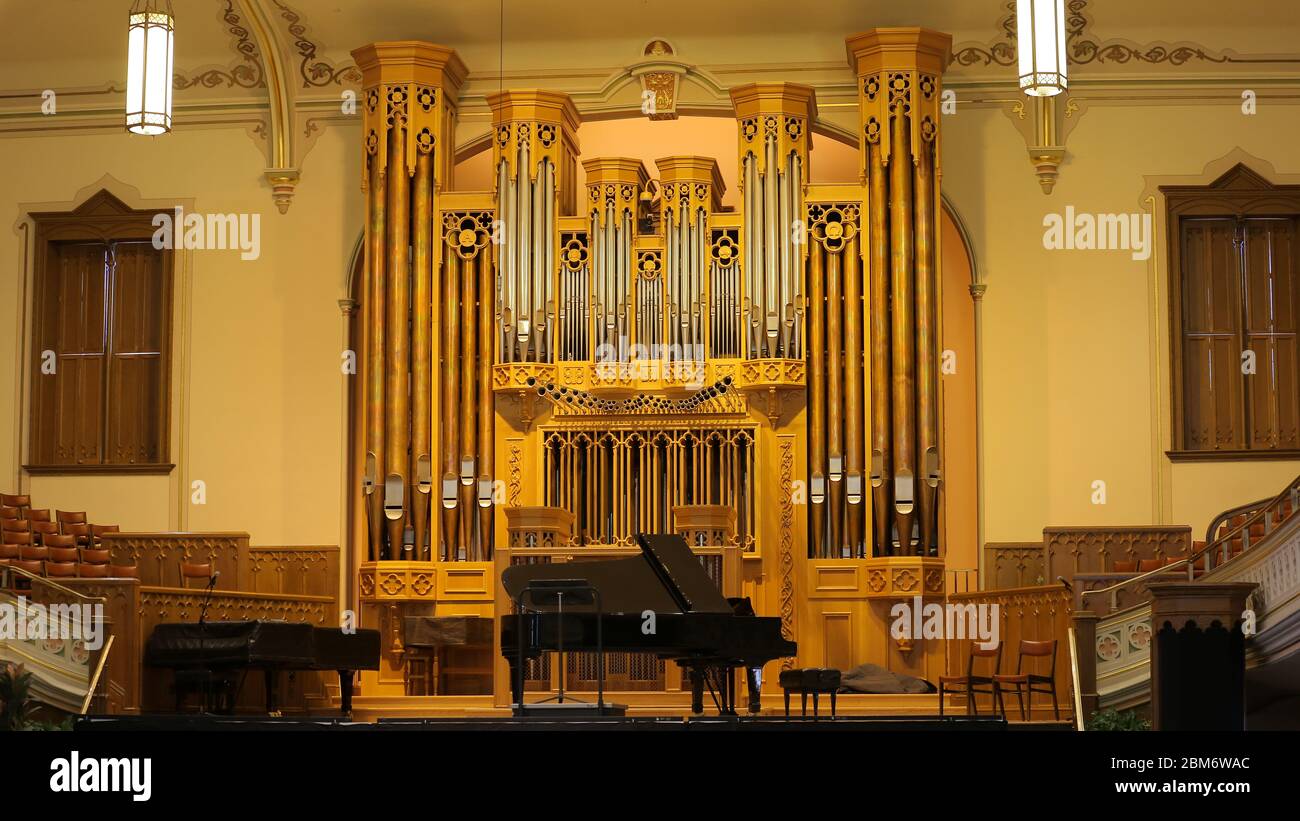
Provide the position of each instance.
(549, 370)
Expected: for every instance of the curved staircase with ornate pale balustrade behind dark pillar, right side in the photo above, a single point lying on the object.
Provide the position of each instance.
(1258, 544)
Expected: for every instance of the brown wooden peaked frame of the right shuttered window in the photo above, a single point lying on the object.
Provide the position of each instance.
(1238, 194)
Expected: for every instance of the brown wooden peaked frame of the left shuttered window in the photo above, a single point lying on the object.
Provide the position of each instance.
(101, 219)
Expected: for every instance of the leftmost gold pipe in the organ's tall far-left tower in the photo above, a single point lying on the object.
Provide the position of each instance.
(375, 309)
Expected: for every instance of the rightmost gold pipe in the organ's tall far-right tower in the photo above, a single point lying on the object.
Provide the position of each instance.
(928, 333)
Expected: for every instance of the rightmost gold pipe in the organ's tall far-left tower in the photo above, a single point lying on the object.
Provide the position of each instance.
(422, 354)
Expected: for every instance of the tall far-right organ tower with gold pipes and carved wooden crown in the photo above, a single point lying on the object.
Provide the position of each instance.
(900, 92)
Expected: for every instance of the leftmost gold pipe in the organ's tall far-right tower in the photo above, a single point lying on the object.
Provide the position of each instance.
(878, 296)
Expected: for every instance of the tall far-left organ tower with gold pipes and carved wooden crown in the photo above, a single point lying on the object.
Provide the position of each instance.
(410, 97)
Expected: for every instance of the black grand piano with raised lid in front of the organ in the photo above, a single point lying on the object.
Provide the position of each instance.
(708, 635)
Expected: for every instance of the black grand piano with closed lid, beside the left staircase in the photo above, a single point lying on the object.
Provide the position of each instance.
(219, 651)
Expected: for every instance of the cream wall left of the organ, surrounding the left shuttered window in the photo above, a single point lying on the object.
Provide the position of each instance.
(258, 411)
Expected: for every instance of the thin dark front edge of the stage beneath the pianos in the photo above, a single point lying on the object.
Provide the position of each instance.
(703, 724)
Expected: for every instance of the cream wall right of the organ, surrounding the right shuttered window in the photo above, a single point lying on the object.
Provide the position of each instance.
(1068, 375)
